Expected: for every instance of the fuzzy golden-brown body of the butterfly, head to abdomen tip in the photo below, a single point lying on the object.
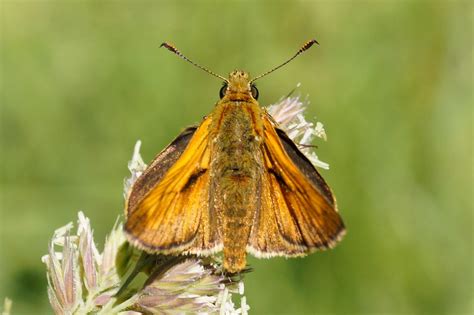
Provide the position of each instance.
(236, 167)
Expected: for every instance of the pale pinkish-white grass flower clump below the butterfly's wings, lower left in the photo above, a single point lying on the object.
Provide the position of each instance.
(82, 280)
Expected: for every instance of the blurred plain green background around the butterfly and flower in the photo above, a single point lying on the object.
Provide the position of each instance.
(392, 82)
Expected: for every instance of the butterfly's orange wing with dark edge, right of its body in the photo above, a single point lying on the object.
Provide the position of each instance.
(297, 212)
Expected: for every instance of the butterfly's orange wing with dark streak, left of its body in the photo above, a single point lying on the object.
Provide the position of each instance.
(168, 210)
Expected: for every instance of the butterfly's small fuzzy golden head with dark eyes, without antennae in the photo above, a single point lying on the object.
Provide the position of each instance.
(238, 87)
